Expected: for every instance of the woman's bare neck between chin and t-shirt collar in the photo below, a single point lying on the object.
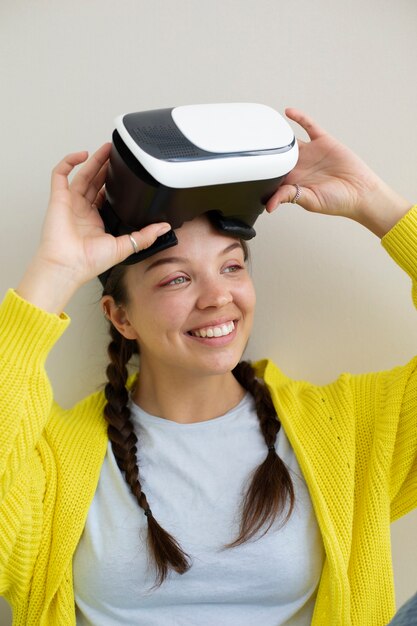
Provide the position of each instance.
(196, 399)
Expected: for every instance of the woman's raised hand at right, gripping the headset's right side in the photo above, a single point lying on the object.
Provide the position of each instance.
(335, 181)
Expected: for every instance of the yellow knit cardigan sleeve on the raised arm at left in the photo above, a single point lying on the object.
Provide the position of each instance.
(26, 336)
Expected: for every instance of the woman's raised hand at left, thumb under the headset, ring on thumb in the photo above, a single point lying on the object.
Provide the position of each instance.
(74, 246)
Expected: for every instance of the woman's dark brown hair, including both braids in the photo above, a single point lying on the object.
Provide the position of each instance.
(270, 492)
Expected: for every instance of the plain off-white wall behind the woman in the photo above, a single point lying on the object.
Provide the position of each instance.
(330, 299)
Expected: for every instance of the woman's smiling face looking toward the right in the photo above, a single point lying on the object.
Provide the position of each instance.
(191, 307)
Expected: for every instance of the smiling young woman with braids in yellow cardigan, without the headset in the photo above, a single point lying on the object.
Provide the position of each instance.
(201, 490)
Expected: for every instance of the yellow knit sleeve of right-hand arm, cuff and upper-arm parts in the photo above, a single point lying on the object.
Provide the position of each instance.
(386, 402)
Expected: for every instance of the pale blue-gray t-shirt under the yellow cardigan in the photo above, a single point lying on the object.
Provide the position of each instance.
(194, 476)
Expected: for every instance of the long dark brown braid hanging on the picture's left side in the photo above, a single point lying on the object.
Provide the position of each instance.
(165, 550)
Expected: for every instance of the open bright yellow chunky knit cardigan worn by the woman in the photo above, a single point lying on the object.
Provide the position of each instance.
(355, 440)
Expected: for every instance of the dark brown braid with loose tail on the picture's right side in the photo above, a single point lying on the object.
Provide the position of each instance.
(271, 486)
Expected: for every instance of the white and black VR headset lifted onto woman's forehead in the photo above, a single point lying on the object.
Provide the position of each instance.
(171, 165)
